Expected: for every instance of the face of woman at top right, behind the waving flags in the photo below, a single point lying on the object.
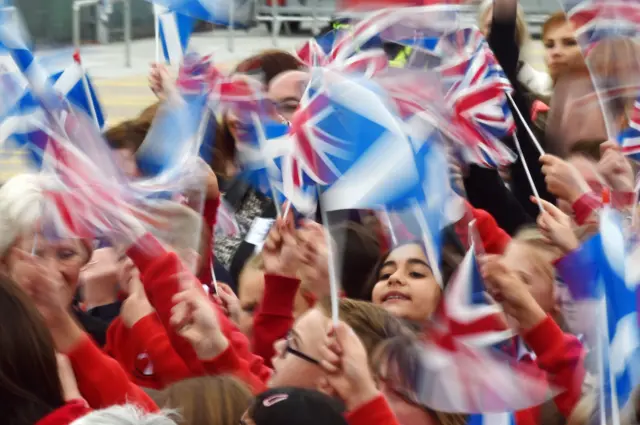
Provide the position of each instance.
(562, 53)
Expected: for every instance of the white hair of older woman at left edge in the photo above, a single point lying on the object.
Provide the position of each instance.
(21, 204)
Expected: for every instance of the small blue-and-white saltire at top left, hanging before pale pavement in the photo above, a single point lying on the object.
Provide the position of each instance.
(174, 33)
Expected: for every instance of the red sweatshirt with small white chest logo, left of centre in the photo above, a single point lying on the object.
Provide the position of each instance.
(145, 353)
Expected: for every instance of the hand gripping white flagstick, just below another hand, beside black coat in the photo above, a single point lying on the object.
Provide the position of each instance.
(556, 226)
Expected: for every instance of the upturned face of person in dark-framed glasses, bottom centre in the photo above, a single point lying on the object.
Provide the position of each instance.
(306, 337)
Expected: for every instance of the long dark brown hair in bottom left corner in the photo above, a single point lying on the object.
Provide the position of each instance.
(29, 384)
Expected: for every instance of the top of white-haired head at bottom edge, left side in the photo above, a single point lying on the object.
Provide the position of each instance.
(126, 415)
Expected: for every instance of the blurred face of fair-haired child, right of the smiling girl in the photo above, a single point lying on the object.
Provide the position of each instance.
(535, 269)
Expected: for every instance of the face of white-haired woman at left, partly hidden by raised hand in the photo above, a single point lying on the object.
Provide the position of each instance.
(64, 256)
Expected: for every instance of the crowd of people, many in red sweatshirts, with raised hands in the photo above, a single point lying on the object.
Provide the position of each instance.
(123, 333)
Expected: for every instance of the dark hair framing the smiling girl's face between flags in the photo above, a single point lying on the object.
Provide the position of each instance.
(452, 255)
